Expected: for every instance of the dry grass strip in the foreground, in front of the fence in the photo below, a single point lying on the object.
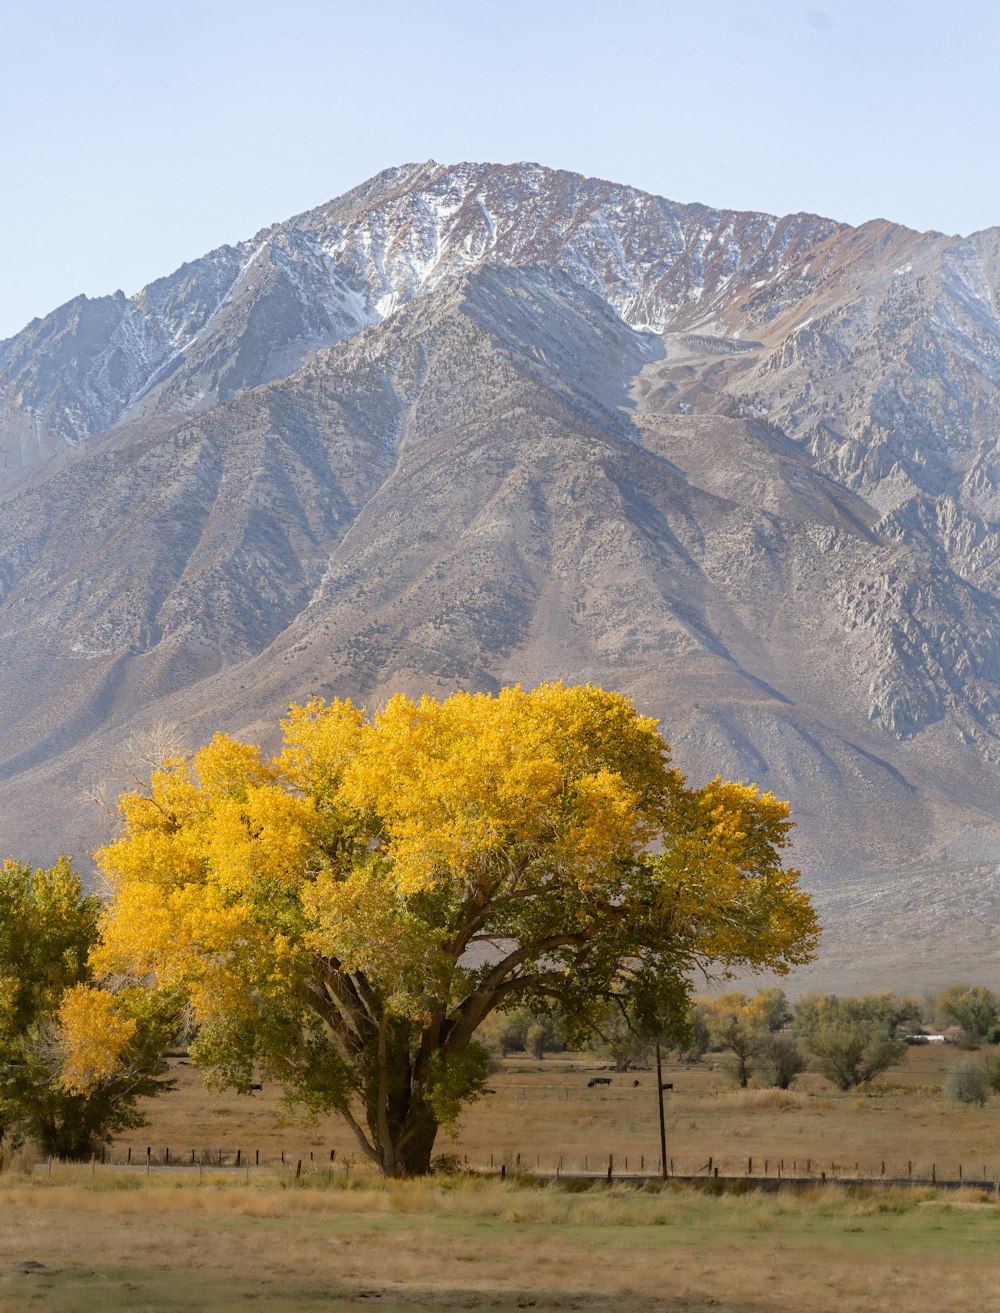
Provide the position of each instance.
(81, 1244)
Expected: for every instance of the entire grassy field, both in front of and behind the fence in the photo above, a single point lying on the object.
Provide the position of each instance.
(95, 1238)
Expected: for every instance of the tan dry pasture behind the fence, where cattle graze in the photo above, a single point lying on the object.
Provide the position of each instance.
(545, 1113)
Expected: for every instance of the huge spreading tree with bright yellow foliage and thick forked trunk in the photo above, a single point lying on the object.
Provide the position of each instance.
(344, 917)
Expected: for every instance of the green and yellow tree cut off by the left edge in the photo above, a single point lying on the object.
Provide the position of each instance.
(48, 929)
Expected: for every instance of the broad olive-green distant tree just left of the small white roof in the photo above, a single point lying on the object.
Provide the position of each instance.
(850, 1038)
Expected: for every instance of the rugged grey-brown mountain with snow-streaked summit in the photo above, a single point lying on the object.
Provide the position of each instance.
(489, 423)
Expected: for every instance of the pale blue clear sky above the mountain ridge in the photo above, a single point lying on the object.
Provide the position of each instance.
(141, 133)
